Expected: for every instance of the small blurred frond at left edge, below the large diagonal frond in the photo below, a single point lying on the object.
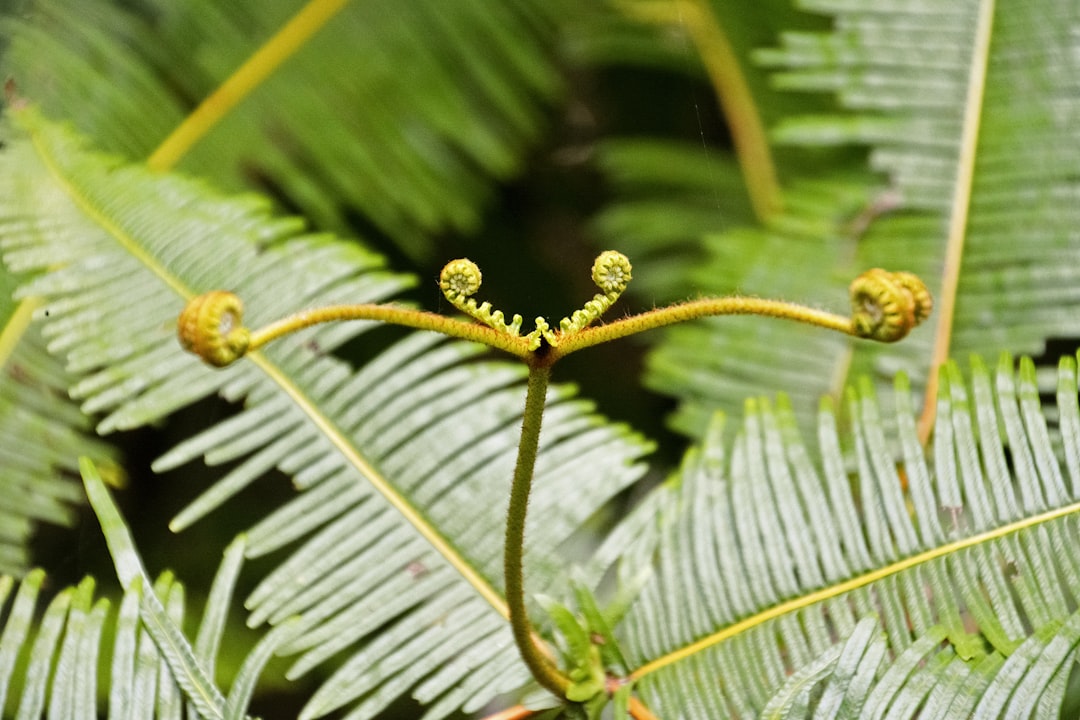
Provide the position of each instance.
(44, 433)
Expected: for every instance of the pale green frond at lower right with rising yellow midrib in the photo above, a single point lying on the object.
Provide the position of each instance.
(987, 631)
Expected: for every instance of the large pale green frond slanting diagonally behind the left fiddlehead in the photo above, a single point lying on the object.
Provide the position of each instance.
(424, 425)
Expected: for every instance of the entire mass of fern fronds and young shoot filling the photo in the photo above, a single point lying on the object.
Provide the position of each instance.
(911, 561)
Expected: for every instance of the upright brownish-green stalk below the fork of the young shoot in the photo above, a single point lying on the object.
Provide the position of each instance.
(539, 663)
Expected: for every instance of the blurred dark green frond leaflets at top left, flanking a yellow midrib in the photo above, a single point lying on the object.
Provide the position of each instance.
(429, 102)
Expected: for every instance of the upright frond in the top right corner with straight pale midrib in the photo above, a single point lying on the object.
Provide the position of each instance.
(966, 138)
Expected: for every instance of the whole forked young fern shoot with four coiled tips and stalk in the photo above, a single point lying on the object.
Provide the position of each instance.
(885, 307)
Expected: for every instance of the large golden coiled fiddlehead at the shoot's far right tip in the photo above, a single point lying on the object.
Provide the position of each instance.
(887, 306)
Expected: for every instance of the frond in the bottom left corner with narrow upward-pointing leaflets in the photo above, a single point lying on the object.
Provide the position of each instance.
(52, 662)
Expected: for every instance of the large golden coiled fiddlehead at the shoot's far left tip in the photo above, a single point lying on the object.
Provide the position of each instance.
(211, 327)
